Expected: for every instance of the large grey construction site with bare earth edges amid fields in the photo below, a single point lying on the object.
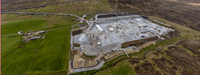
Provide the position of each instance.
(110, 35)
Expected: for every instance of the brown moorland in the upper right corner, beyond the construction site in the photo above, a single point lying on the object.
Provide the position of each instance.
(183, 12)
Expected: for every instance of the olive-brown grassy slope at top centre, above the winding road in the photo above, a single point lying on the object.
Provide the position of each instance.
(78, 8)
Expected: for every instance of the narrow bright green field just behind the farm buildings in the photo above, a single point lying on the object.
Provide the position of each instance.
(23, 25)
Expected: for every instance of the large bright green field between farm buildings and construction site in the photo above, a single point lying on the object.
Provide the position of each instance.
(41, 56)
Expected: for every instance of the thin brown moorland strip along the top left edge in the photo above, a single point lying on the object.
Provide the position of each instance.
(16, 4)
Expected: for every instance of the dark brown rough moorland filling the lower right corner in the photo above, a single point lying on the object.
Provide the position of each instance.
(183, 59)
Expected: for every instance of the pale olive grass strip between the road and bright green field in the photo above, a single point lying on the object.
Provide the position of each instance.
(52, 20)
